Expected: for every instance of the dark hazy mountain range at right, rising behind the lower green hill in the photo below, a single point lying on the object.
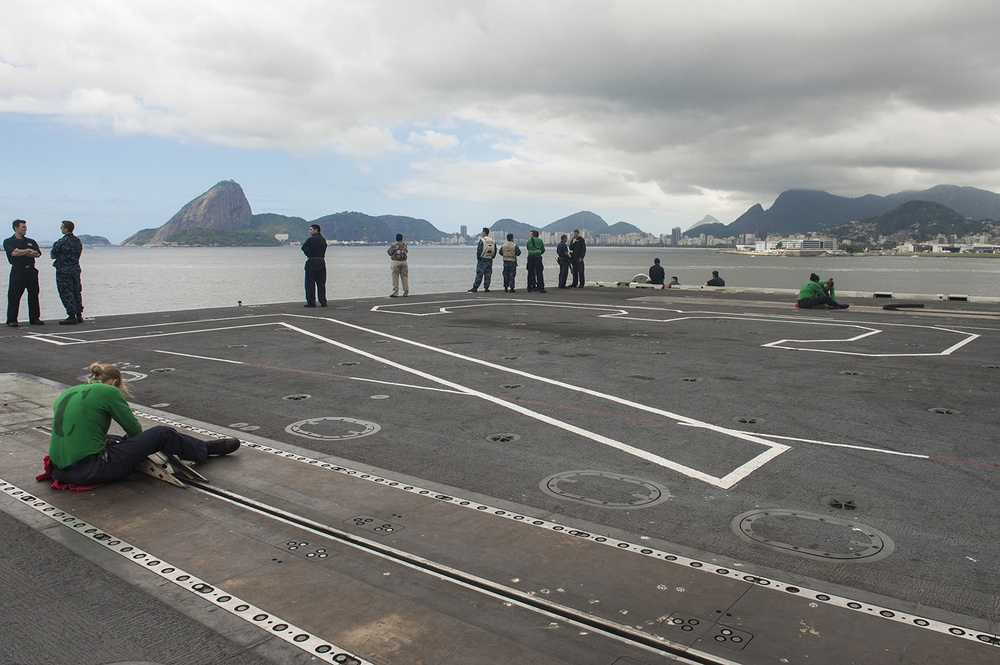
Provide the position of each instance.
(802, 211)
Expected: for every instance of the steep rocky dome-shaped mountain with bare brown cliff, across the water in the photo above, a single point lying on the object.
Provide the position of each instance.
(222, 208)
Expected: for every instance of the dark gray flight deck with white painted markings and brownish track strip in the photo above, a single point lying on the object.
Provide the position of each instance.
(606, 476)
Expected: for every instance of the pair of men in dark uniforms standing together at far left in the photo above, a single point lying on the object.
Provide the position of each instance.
(21, 253)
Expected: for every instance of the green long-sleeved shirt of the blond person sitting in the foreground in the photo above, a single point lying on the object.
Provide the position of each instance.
(81, 417)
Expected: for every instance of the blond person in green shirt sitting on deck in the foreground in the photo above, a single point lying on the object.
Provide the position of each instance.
(80, 450)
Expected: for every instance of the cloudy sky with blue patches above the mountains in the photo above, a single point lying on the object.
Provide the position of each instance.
(462, 112)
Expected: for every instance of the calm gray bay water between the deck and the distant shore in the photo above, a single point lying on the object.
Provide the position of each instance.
(118, 280)
